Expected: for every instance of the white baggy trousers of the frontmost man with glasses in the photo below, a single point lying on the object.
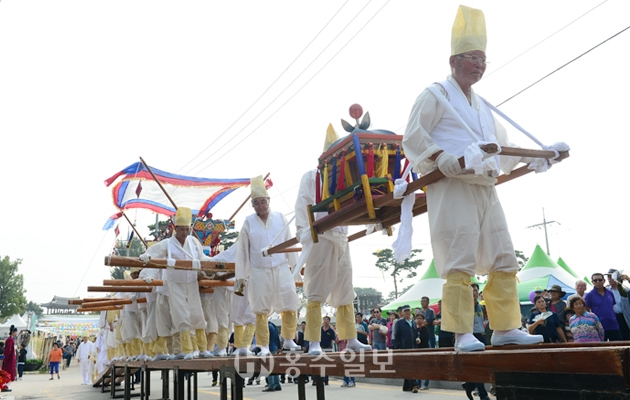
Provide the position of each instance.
(468, 229)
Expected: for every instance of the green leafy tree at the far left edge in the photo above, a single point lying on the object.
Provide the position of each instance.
(12, 299)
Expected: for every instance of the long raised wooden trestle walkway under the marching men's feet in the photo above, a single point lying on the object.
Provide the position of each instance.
(545, 371)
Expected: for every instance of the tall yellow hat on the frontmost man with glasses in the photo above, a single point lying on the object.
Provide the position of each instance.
(469, 31)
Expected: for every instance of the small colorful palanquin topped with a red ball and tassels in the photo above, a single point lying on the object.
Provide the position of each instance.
(358, 167)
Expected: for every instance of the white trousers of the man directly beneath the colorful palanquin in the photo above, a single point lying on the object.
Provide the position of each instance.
(328, 271)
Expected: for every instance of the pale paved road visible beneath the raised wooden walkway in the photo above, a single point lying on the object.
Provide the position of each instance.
(38, 387)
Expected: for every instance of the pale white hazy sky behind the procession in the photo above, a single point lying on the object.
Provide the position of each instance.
(241, 88)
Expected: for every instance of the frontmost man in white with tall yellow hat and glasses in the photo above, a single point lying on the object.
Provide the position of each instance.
(468, 229)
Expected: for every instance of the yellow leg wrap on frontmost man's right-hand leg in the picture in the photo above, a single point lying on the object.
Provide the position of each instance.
(501, 297)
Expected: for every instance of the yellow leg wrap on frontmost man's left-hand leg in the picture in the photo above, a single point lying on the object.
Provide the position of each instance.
(457, 303)
